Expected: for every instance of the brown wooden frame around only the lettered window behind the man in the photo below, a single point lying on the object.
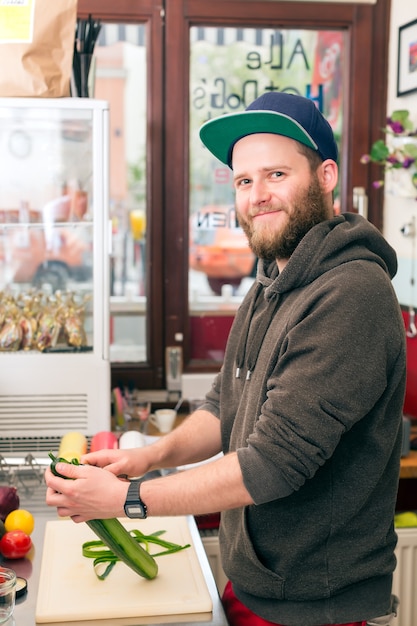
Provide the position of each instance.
(365, 107)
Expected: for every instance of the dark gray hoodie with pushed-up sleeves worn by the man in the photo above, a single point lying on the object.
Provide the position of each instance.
(310, 396)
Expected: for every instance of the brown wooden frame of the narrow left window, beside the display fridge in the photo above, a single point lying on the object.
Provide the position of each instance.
(151, 373)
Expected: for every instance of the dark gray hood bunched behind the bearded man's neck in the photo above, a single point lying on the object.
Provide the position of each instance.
(347, 237)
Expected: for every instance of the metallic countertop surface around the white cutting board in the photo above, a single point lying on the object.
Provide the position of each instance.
(24, 614)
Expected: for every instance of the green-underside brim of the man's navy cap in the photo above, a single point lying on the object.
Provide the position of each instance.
(220, 134)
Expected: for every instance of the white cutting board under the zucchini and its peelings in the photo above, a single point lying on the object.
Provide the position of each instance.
(70, 591)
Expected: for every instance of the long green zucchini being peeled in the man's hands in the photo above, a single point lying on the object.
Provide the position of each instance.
(117, 538)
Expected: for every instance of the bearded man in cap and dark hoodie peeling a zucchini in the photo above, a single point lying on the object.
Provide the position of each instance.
(307, 408)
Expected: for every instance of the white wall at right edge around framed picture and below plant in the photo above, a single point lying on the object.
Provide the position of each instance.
(399, 211)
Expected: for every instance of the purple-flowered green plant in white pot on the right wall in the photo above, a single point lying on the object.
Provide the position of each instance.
(397, 155)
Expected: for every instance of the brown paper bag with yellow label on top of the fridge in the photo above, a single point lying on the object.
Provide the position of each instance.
(36, 47)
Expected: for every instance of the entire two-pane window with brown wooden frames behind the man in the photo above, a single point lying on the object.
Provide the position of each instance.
(185, 72)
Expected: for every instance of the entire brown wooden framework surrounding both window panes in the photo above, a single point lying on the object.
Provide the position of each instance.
(168, 114)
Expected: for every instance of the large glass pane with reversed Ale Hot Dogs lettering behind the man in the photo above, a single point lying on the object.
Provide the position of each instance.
(229, 68)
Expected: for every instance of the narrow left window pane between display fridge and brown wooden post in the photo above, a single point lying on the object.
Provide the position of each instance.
(120, 78)
